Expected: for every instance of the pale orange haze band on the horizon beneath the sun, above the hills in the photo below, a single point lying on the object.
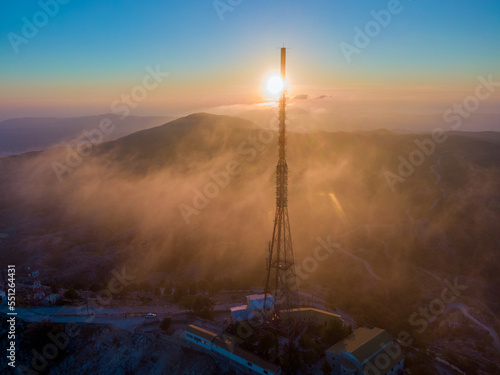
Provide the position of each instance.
(328, 115)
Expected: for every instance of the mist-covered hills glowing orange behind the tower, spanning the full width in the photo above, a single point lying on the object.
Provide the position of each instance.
(402, 214)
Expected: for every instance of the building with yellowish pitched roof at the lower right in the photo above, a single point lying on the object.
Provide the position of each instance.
(366, 352)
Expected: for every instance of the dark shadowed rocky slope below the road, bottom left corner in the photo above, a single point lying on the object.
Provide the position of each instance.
(61, 349)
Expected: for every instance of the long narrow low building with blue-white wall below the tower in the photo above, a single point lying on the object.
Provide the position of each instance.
(226, 347)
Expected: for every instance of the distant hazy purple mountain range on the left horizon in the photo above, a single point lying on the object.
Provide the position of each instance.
(21, 135)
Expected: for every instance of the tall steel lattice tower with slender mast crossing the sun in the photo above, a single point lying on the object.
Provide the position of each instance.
(281, 277)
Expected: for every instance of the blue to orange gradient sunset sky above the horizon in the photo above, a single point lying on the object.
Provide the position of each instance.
(78, 58)
